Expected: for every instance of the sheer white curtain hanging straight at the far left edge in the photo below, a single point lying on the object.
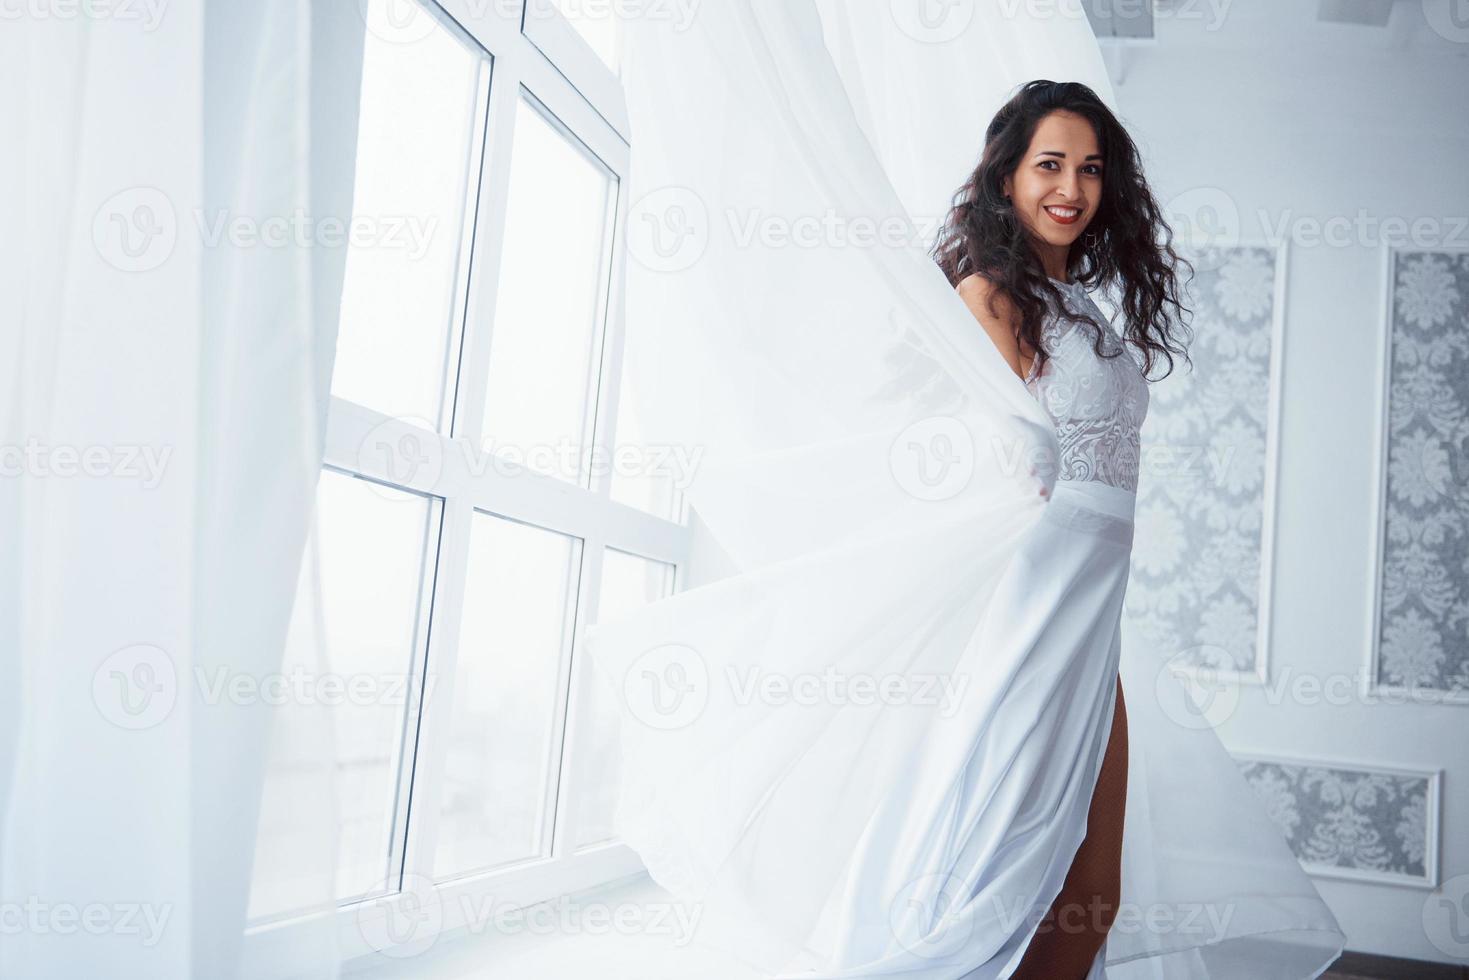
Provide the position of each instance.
(165, 394)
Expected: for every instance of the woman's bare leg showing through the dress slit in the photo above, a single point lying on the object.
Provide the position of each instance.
(1089, 898)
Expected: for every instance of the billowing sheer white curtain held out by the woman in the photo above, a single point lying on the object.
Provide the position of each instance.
(870, 465)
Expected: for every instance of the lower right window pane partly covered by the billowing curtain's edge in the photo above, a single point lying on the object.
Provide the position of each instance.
(628, 583)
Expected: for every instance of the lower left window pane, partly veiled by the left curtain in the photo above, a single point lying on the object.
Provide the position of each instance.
(377, 569)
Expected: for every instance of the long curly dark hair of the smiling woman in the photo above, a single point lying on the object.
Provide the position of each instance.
(1127, 249)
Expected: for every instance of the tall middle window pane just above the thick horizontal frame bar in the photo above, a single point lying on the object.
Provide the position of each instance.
(552, 300)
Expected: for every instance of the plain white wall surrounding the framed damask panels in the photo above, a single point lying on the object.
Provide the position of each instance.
(1296, 121)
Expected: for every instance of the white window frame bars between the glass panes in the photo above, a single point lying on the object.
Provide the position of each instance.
(531, 60)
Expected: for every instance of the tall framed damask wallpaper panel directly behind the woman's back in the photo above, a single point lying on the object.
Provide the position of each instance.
(1195, 590)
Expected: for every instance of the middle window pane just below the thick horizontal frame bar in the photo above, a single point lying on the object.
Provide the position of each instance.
(519, 606)
